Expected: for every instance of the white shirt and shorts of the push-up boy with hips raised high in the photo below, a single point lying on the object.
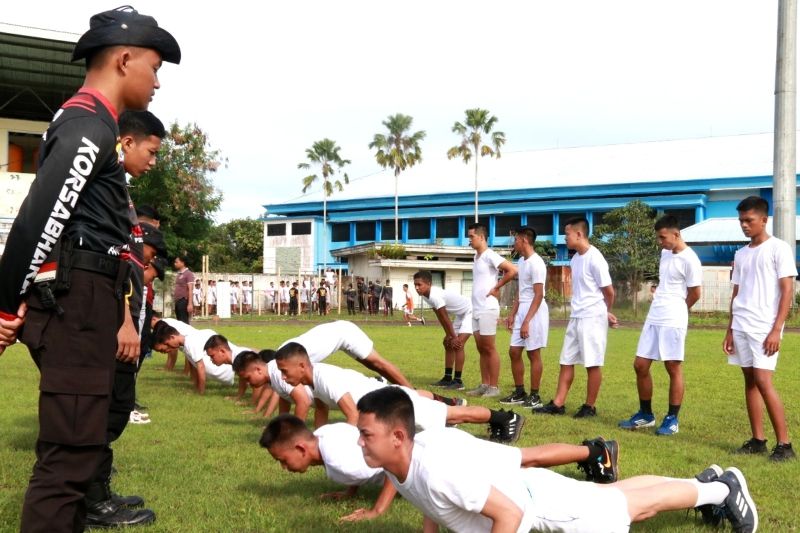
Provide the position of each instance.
(326, 339)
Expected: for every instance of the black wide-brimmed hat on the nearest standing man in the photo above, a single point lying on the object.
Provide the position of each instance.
(125, 26)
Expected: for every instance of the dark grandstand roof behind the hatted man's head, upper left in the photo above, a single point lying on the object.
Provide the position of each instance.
(36, 74)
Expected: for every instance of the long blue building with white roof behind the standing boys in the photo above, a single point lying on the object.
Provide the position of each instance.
(695, 180)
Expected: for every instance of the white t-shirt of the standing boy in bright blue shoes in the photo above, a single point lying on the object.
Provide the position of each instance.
(676, 273)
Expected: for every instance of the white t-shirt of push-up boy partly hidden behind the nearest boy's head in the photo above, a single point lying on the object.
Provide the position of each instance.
(342, 456)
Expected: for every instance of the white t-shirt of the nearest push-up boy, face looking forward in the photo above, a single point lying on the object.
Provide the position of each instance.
(449, 486)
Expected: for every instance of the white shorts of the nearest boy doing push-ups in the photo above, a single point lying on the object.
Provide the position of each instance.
(560, 503)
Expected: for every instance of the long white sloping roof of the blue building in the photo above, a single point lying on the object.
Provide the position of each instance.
(649, 162)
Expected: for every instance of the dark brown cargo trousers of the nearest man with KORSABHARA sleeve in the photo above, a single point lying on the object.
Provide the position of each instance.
(75, 356)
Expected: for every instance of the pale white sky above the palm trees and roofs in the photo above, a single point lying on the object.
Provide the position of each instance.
(266, 80)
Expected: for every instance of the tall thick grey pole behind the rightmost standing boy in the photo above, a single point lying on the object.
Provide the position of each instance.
(784, 185)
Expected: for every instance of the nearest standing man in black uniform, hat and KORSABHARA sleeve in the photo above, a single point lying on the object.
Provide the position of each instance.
(64, 258)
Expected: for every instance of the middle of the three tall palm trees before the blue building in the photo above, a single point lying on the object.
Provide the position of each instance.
(398, 151)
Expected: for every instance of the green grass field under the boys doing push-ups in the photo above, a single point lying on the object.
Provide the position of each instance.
(200, 468)
